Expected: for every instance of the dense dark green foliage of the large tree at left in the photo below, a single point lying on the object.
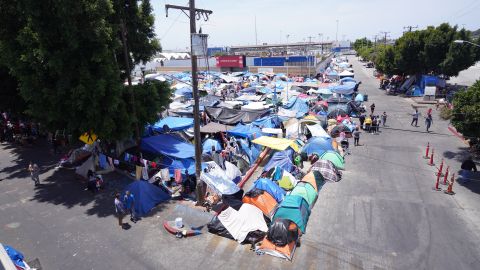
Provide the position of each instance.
(65, 55)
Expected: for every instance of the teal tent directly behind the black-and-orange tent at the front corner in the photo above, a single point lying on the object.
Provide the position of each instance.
(296, 209)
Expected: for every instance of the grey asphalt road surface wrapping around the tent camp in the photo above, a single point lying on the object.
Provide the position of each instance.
(383, 214)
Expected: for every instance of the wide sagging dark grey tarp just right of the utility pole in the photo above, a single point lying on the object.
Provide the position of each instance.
(232, 116)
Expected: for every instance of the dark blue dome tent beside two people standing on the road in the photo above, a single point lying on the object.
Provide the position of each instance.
(147, 196)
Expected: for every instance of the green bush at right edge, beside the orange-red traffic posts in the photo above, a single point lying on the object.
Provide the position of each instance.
(466, 111)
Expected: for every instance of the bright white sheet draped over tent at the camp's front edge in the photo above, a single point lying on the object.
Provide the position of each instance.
(239, 223)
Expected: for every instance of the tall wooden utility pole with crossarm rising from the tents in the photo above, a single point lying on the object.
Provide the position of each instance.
(195, 14)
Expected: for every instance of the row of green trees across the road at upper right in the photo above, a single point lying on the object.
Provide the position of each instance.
(431, 50)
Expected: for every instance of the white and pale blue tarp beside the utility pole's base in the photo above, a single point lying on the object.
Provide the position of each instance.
(217, 179)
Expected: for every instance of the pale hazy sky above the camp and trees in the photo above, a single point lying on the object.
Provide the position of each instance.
(233, 21)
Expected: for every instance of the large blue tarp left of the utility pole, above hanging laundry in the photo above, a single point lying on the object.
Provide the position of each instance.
(168, 145)
